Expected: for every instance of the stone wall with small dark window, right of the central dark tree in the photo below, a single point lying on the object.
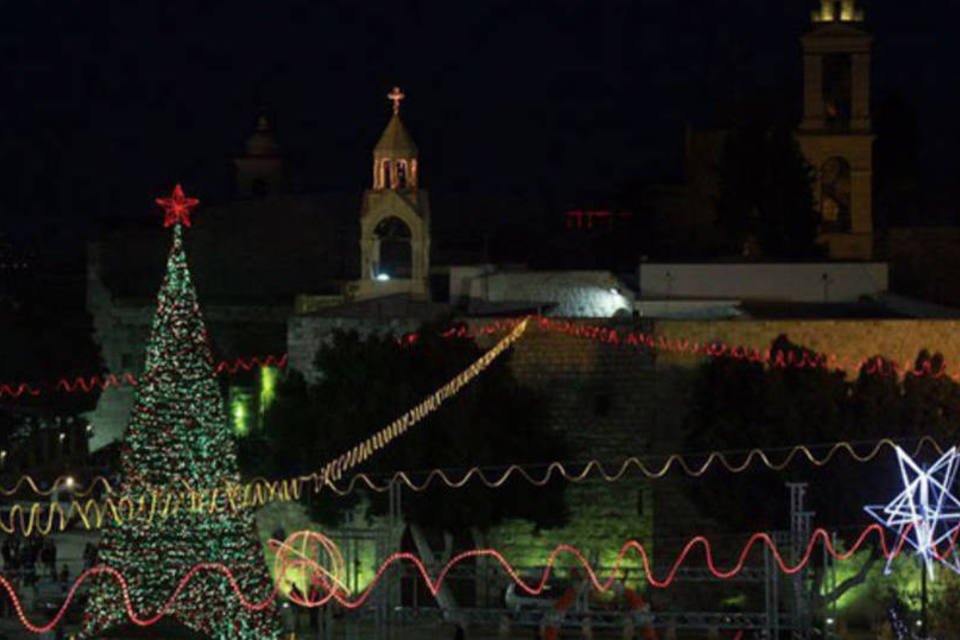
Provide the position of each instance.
(600, 399)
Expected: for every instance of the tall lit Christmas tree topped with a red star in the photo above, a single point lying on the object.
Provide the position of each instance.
(178, 436)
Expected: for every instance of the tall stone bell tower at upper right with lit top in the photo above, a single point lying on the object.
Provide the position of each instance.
(835, 133)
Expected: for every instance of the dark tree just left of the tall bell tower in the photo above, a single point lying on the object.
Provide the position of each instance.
(765, 192)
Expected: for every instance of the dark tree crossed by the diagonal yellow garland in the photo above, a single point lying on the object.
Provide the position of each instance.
(367, 381)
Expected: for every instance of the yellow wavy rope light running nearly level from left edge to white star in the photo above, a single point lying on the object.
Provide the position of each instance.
(42, 518)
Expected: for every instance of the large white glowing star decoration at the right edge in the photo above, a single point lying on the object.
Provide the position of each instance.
(926, 513)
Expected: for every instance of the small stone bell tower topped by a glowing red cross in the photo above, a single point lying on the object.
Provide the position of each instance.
(395, 217)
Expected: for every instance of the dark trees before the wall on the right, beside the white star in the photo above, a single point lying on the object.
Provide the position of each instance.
(737, 405)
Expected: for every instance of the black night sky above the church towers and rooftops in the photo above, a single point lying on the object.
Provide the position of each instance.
(105, 104)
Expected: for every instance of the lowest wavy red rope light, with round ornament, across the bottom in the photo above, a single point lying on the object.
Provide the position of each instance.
(293, 559)
